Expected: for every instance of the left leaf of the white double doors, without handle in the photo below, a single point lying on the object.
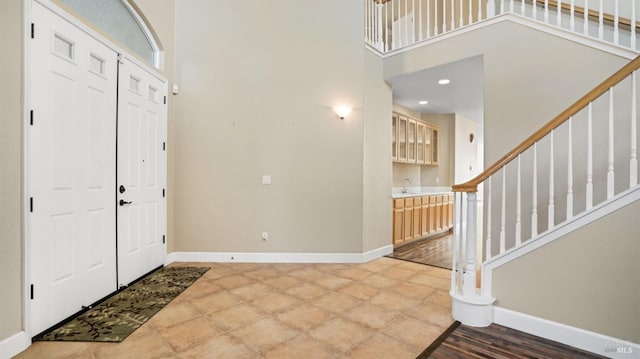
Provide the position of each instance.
(71, 170)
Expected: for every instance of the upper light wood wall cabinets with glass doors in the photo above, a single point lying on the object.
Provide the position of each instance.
(413, 141)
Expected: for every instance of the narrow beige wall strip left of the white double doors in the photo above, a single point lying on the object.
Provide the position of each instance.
(11, 169)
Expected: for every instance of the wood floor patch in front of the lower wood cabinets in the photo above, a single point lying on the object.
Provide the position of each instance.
(435, 252)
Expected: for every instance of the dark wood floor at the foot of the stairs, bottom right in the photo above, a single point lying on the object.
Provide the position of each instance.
(496, 341)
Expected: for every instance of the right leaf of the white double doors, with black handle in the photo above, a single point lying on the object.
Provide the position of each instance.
(142, 124)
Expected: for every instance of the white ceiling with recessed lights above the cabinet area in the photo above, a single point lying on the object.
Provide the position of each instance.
(464, 95)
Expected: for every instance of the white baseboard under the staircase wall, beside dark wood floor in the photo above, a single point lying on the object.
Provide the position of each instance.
(562, 333)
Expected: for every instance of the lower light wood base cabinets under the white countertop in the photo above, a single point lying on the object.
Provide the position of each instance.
(418, 217)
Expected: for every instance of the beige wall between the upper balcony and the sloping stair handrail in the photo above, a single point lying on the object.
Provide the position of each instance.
(529, 77)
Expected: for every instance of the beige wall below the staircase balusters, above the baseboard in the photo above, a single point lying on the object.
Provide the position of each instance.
(589, 278)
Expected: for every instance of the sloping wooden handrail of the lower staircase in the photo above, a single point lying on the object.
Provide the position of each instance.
(472, 185)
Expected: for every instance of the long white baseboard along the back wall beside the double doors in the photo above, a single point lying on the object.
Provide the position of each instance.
(249, 257)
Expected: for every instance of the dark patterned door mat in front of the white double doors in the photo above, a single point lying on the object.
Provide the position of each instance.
(121, 314)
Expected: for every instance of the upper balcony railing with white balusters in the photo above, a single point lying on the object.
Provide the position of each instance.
(395, 24)
